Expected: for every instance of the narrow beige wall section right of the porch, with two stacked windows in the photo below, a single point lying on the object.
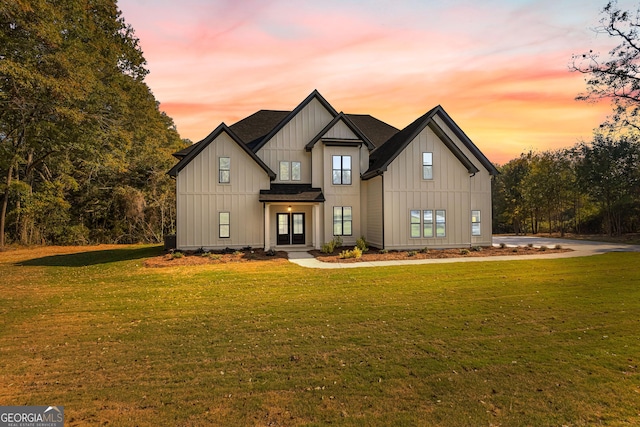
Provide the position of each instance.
(341, 195)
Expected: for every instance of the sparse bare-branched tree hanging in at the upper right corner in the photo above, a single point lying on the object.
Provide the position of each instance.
(617, 76)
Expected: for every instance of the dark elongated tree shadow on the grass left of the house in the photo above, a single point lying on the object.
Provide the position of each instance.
(83, 259)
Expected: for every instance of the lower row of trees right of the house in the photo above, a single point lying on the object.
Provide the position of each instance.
(590, 188)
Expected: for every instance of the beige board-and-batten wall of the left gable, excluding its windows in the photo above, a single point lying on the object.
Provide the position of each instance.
(200, 198)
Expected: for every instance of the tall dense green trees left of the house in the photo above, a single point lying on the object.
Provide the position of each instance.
(84, 148)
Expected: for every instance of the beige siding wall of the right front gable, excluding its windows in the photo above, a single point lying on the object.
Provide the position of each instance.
(450, 189)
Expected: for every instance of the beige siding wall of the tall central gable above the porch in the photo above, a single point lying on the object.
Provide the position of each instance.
(288, 144)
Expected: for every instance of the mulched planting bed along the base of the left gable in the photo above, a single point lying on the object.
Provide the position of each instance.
(214, 257)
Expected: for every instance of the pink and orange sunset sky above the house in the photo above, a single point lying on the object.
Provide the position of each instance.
(498, 67)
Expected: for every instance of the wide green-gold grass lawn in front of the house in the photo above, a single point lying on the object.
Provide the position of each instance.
(522, 343)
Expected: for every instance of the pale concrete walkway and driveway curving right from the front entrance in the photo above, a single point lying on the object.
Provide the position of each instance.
(580, 248)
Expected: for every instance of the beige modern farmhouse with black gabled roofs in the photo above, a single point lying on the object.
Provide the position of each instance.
(301, 177)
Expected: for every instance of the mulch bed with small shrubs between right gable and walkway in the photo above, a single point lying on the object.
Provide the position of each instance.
(374, 254)
